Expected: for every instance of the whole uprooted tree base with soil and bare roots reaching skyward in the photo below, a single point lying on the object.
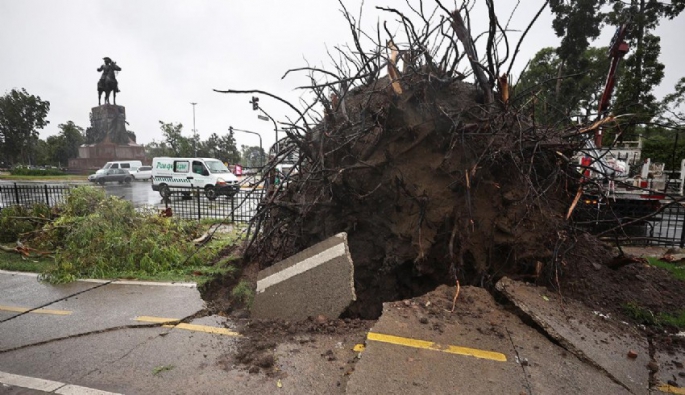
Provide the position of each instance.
(435, 180)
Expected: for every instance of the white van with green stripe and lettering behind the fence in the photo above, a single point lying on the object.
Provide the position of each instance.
(207, 173)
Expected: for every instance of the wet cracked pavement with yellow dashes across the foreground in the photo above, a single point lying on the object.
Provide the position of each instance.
(94, 337)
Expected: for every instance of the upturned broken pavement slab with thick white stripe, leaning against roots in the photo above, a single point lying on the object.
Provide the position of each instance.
(316, 281)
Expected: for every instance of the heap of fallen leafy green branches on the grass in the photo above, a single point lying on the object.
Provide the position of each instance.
(102, 236)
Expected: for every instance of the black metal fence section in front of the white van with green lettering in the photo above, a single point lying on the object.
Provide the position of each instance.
(191, 203)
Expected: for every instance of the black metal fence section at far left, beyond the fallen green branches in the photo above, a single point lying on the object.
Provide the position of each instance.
(28, 195)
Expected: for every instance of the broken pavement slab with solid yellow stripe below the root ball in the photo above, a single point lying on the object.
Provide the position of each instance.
(426, 364)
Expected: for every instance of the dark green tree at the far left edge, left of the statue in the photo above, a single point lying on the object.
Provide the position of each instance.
(21, 116)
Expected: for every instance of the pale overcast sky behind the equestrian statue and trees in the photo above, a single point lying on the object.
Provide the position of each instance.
(174, 52)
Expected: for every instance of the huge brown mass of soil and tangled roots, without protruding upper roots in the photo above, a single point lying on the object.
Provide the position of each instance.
(431, 186)
